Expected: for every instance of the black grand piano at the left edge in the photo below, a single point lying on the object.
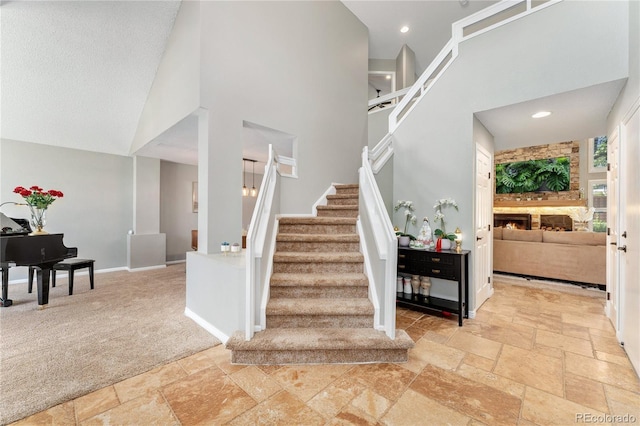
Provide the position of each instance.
(17, 248)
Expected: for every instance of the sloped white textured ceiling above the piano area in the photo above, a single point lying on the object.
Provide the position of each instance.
(77, 73)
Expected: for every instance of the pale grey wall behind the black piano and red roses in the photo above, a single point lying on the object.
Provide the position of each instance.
(96, 210)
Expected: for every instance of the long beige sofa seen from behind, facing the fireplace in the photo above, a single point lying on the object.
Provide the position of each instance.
(567, 256)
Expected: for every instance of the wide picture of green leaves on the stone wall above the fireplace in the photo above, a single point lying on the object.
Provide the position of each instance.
(550, 174)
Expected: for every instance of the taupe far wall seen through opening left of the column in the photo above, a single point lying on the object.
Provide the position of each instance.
(177, 218)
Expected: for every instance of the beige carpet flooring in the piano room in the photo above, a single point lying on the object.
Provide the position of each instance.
(130, 323)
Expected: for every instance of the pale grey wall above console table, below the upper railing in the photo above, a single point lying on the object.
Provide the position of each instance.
(551, 51)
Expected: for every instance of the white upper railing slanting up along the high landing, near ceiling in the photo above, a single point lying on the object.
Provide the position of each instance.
(492, 17)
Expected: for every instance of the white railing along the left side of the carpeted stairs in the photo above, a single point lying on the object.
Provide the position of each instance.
(261, 238)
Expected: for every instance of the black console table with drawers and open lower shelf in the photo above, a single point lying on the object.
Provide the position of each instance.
(447, 265)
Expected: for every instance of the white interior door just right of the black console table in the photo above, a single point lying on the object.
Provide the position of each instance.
(483, 257)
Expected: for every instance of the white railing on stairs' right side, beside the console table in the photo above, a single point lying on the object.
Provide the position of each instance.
(381, 245)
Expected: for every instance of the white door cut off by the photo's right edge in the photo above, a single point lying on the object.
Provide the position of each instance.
(629, 239)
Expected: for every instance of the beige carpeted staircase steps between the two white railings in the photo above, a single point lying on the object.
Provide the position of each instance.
(319, 310)
